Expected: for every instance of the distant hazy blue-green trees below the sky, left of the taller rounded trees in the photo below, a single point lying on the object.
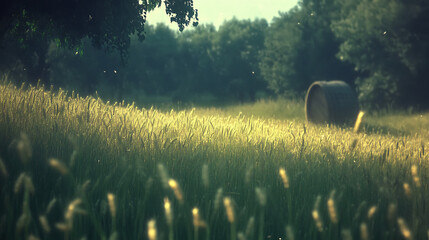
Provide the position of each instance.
(219, 63)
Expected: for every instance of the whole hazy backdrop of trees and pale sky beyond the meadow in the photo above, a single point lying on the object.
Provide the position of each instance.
(241, 51)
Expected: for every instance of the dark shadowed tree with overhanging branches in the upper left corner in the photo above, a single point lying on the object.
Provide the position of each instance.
(108, 23)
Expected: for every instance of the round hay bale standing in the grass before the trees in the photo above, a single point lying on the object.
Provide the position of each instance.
(332, 102)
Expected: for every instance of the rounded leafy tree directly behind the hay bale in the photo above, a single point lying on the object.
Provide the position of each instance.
(300, 48)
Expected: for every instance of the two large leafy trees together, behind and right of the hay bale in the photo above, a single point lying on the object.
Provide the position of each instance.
(379, 46)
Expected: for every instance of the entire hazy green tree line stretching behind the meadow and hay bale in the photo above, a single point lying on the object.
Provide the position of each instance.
(380, 47)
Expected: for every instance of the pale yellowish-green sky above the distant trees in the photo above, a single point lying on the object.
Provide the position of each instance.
(217, 11)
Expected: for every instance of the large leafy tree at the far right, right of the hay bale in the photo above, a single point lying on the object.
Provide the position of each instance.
(388, 43)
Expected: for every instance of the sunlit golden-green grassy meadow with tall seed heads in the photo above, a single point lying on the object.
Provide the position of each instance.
(77, 167)
